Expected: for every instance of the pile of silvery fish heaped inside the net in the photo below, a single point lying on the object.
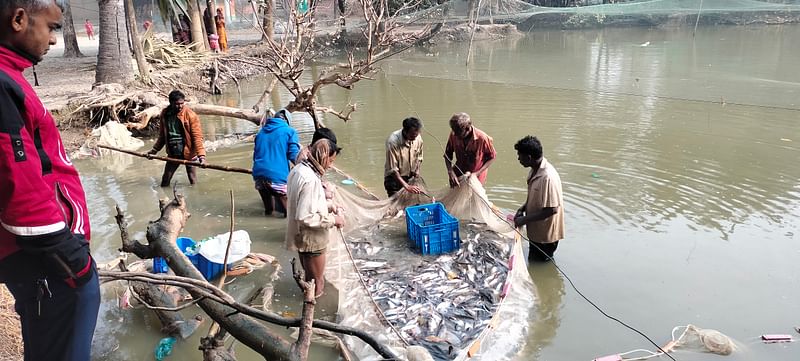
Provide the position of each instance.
(440, 302)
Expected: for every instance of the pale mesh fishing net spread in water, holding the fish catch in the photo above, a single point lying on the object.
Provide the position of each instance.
(473, 301)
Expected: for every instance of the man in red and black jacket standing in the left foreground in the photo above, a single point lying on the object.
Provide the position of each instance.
(44, 233)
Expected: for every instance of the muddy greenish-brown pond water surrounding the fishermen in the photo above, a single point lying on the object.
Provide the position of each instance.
(679, 159)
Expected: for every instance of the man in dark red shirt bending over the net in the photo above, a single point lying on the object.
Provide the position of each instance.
(472, 147)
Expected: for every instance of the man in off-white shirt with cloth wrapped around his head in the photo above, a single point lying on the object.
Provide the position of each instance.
(310, 218)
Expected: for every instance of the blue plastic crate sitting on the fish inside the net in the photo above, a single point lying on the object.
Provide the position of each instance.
(431, 229)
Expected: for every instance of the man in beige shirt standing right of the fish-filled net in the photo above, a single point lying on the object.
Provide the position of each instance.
(543, 212)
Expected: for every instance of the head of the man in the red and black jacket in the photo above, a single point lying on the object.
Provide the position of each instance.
(29, 26)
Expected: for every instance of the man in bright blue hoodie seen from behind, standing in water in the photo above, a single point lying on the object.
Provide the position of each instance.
(276, 145)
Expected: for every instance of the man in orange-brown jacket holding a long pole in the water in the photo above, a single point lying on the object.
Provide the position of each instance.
(180, 131)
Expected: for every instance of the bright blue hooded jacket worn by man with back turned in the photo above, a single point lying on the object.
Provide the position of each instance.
(276, 144)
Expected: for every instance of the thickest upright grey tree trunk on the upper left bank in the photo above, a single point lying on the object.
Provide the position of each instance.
(113, 55)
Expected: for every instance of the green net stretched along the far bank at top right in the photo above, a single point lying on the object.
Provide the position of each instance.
(623, 12)
